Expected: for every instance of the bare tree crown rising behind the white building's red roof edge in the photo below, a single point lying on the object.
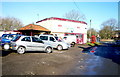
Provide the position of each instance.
(74, 15)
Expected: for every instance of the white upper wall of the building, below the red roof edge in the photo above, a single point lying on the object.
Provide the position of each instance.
(60, 27)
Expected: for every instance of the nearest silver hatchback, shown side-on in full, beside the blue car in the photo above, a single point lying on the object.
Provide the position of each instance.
(29, 43)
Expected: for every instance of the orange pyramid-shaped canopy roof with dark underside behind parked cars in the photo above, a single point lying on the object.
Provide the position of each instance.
(32, 29)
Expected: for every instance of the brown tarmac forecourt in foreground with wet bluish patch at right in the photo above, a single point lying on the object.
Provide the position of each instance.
(67, 62)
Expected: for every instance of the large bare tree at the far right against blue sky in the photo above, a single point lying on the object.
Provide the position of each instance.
(108, 28)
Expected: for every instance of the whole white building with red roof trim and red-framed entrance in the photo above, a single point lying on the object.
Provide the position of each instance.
(63, 27)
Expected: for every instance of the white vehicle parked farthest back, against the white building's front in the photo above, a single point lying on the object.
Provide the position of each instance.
(70, 39)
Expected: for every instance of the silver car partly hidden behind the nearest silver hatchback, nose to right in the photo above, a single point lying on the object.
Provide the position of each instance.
(54, 42)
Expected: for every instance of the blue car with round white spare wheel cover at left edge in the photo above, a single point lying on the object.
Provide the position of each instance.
(5, 40)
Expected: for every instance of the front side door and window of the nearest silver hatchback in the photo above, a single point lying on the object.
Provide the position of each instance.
(38, 44)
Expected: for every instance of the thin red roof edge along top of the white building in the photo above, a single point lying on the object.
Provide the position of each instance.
(62, 19)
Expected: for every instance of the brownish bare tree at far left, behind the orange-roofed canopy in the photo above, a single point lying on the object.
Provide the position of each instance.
(10, 23)
